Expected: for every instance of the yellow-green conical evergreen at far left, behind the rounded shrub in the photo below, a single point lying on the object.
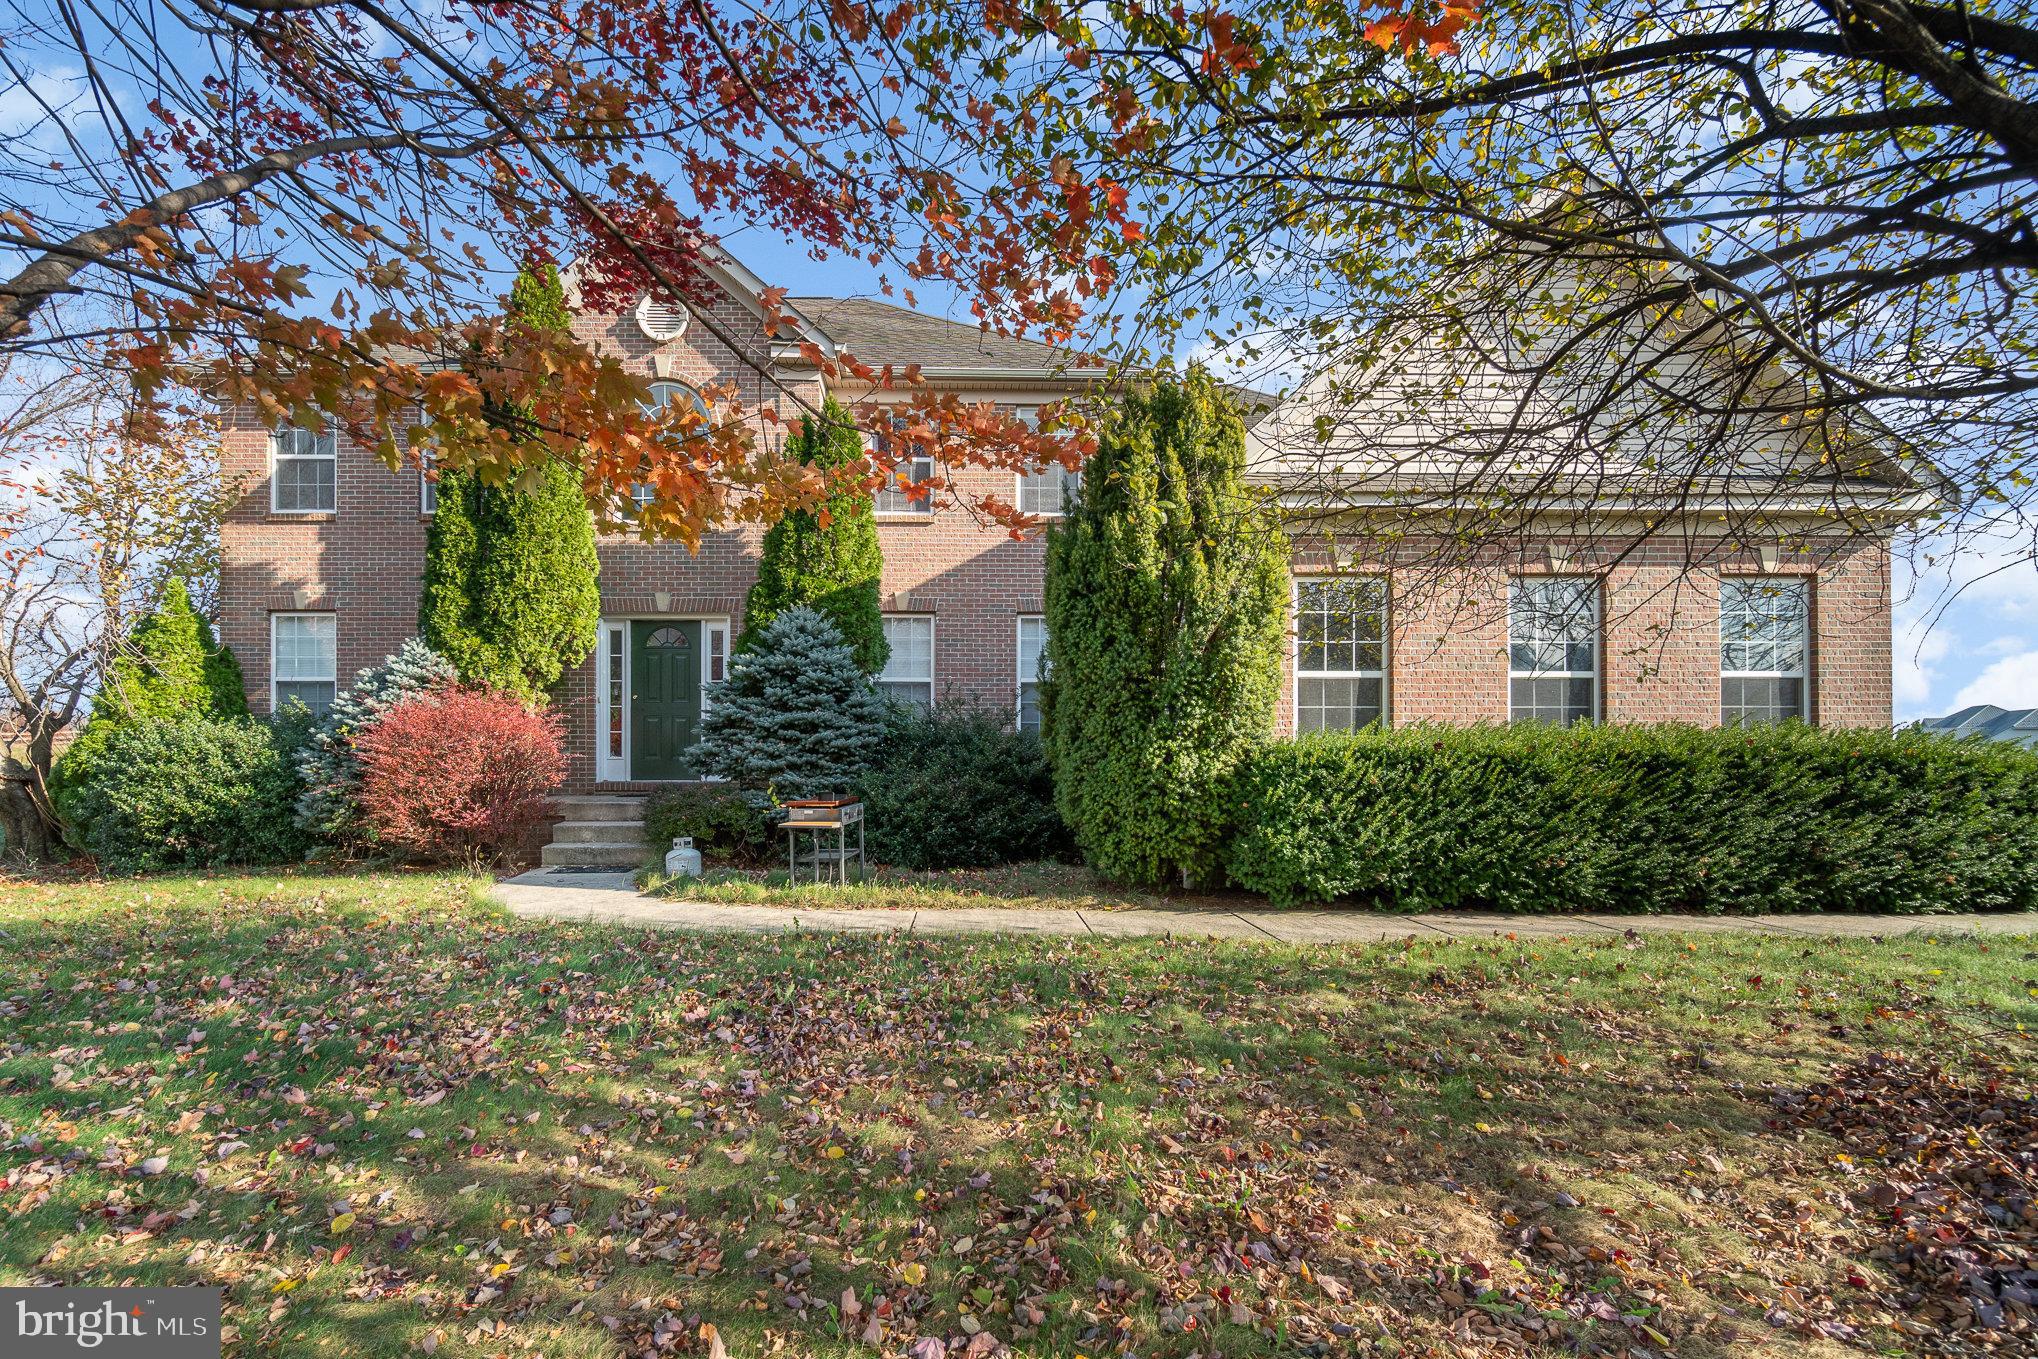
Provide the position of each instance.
(170, 669)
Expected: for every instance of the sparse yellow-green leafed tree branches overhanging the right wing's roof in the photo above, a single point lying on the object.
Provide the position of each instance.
(1589, 254)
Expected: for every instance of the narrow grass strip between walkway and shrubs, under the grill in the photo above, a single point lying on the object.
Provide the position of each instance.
(1049, 887)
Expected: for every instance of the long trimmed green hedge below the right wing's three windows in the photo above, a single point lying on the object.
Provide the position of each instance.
(1621, 818)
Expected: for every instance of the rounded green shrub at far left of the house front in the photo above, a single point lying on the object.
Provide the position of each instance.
(191, 794)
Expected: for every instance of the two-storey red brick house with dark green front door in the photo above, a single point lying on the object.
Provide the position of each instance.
(1611, 620)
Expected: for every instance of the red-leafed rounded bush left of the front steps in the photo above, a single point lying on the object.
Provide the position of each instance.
(460, 775)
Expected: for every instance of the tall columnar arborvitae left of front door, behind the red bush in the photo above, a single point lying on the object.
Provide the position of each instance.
(511, 592)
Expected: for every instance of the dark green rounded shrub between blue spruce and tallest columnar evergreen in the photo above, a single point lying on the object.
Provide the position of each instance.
(959, 790)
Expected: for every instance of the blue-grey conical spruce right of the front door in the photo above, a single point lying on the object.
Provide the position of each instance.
(798, 716)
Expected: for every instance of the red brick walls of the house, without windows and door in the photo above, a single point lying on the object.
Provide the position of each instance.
(1448, 651)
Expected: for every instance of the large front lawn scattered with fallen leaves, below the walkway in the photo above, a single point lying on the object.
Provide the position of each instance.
(396, 1122)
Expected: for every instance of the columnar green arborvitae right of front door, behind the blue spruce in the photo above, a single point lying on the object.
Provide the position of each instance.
(824, 557)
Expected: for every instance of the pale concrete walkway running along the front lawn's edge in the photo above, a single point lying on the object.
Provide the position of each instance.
(614, 900)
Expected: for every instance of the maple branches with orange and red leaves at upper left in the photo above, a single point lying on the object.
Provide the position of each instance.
(309, 207)
